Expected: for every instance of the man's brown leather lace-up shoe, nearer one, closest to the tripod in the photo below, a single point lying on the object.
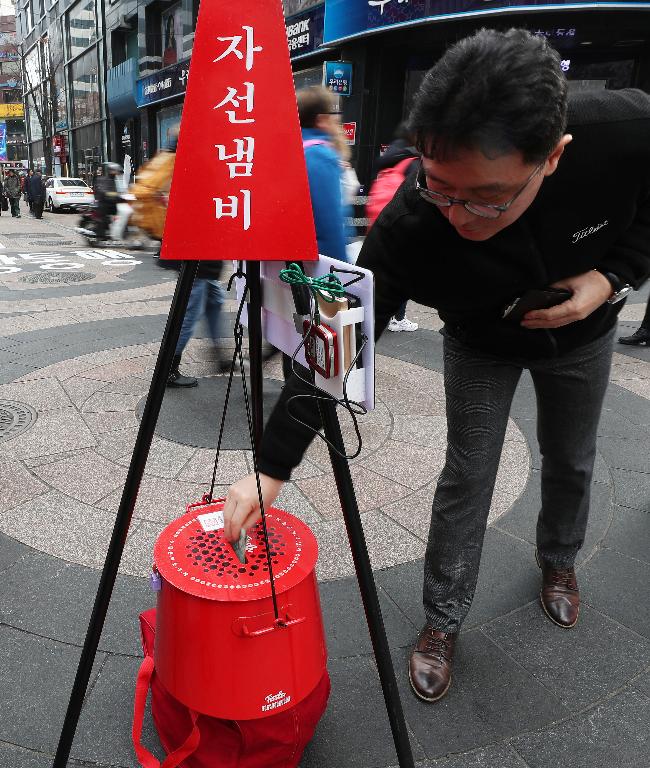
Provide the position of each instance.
(430, 664)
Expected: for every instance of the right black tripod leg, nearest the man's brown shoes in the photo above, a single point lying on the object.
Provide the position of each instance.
(367, 585)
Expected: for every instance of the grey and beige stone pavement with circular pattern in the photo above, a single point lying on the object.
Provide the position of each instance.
(75, 362)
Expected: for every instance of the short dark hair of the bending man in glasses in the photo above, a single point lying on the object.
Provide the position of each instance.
(496, 92)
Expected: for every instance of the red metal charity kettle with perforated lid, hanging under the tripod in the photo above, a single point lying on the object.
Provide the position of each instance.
(220, 649)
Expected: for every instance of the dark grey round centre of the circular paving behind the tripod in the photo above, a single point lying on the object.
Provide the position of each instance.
(192, 416)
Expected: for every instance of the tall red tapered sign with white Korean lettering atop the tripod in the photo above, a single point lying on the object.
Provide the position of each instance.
(240, 187)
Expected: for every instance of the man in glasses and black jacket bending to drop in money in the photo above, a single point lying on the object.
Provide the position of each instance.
(506, 213)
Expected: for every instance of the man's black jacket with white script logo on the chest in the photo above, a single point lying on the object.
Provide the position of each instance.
(593, 212)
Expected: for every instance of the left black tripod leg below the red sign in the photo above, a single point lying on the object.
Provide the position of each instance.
(125, 512)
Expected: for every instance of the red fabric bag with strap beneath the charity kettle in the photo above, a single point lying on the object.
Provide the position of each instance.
(193, 740)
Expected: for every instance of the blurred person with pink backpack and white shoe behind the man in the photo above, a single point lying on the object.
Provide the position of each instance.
(395, 165)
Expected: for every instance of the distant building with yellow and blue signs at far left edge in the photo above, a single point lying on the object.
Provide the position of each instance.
(13, 140)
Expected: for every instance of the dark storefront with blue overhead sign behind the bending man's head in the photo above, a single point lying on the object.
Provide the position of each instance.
(390, 44)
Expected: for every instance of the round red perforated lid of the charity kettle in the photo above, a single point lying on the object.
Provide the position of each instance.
(193, 555)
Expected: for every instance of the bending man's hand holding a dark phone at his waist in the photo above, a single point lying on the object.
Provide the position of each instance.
(590, 290)
